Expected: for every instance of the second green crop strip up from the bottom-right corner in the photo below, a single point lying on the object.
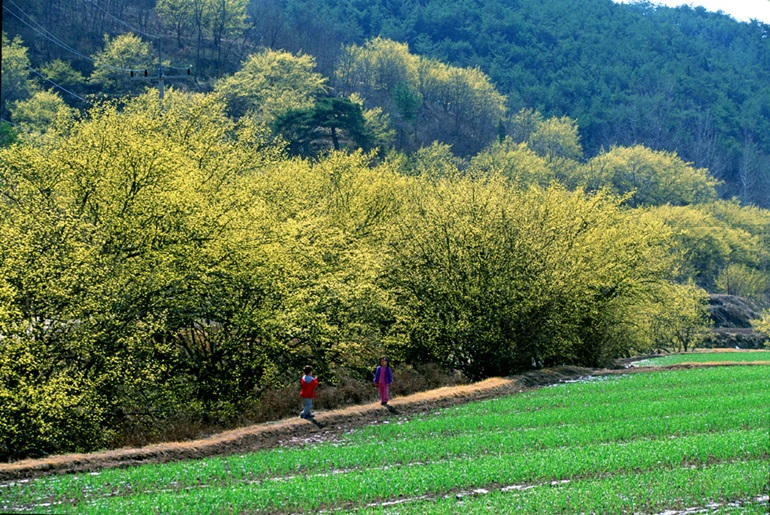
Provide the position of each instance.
(319, 491)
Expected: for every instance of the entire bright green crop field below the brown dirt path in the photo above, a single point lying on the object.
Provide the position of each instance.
(662, 441)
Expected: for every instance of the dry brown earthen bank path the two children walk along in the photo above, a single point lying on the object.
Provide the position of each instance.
(298, 432)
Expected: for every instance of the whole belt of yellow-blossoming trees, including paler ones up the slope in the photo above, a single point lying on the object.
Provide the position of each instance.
(165, 262)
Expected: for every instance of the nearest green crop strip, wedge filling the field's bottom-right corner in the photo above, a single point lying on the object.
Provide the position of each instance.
(734, 486)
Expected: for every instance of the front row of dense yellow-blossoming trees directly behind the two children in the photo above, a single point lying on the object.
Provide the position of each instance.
(173, 263)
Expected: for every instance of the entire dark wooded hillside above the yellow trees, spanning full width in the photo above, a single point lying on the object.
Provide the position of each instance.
(675, 79)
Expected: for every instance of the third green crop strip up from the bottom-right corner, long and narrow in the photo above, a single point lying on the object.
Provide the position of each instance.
(327, 458)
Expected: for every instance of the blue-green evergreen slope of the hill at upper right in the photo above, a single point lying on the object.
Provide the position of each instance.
(679, 79)
